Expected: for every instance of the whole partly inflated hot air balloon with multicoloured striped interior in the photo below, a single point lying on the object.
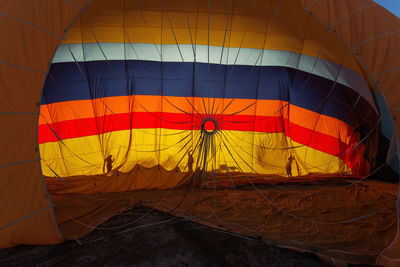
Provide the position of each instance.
(269, 118)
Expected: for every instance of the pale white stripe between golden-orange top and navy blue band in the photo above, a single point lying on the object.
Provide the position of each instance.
(247, 56)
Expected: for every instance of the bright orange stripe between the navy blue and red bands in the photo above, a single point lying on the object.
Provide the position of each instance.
(82, 109)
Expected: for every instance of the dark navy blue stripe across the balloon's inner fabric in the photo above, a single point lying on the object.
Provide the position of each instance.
(120, 78)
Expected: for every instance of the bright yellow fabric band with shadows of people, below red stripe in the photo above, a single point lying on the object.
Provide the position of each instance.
(254, 153)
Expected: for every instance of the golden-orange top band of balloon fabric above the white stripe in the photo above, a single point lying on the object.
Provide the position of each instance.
(293, 30)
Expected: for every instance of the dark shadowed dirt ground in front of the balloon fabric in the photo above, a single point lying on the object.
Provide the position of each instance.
(158, 239)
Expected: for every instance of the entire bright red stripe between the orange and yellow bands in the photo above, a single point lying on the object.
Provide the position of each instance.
(181, 121)
